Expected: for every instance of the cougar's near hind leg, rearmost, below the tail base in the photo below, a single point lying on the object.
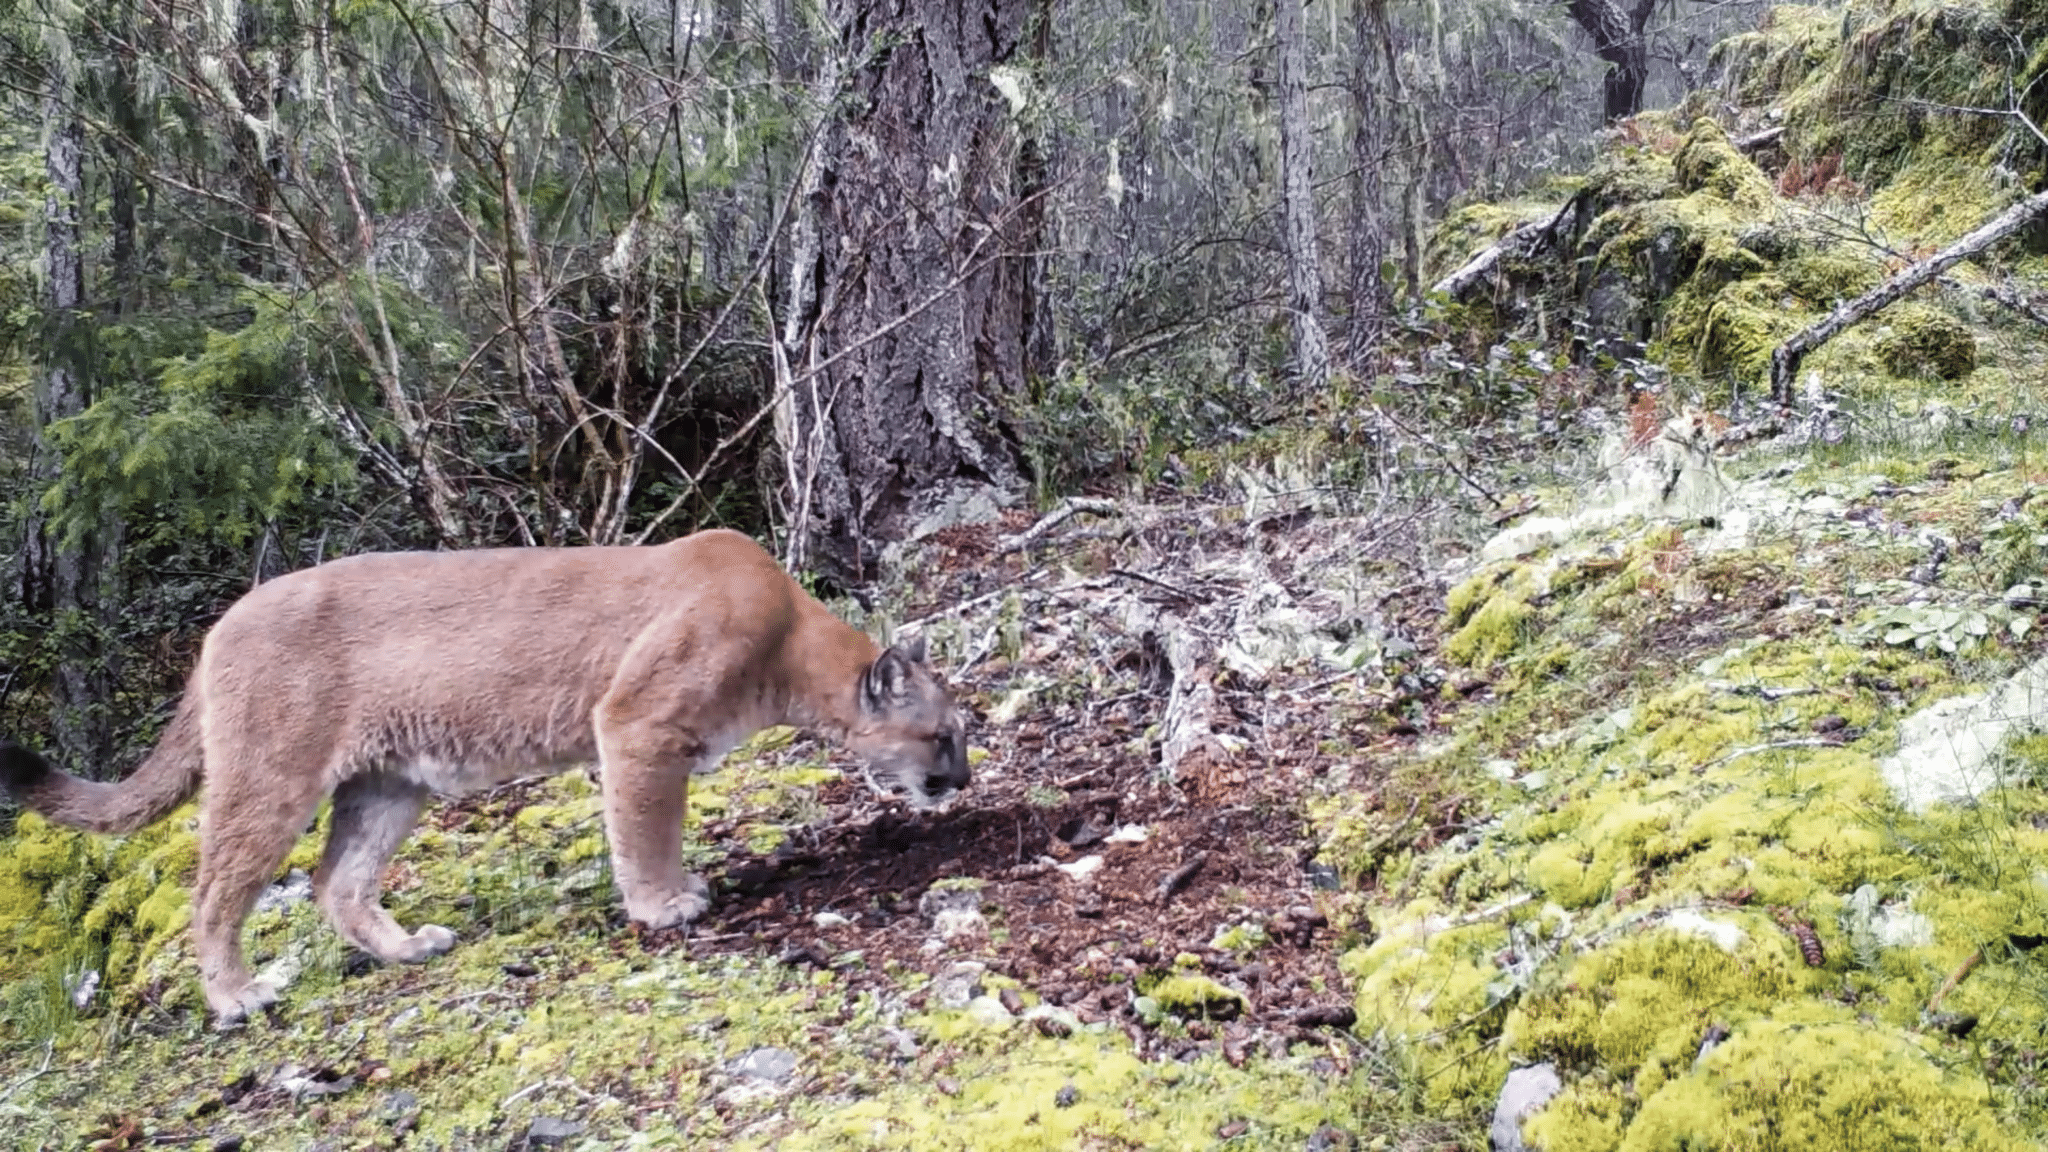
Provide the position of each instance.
(247, 829)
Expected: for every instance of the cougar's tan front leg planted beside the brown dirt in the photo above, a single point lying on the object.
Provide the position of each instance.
(646, 794)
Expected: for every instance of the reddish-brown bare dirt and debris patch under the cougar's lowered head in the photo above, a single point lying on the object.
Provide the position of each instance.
(1097, 874)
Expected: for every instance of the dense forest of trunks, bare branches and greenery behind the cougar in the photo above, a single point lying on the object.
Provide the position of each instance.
(290, 280)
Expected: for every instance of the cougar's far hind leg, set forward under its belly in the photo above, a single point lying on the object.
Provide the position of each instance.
(374, 813)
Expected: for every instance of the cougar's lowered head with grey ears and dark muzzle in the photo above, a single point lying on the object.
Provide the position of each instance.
(910, 731)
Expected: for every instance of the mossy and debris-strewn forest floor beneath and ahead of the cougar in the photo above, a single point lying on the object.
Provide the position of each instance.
(1082, 950)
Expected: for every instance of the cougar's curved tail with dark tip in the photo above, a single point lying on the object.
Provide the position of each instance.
(167, 780)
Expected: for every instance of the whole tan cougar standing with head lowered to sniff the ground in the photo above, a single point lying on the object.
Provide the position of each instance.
(384, 680)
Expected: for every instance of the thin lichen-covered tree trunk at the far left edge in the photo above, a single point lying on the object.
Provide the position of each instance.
(56, 573)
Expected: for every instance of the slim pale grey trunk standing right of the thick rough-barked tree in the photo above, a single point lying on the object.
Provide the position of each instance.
(1297, 196)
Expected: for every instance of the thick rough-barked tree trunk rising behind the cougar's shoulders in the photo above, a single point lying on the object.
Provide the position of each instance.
(908, 323)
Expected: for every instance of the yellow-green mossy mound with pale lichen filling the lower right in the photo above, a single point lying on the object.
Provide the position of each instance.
(1687, 866)
